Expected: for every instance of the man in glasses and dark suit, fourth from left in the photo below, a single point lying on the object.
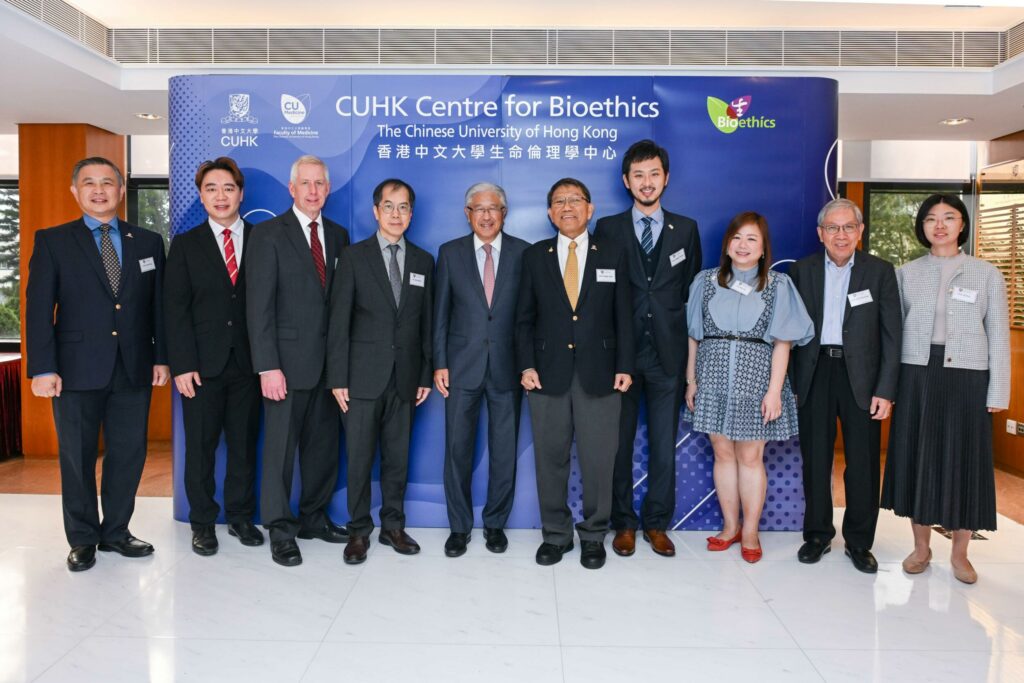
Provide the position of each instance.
(379, 363)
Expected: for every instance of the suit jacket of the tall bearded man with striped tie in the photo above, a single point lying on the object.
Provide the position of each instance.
(662, 302)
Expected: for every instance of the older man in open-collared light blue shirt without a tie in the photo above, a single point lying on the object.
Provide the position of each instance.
(849, 371)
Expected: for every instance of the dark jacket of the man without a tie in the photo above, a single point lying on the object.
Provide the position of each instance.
(872, 332)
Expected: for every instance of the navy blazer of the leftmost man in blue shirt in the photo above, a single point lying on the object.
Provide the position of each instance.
(74, 324)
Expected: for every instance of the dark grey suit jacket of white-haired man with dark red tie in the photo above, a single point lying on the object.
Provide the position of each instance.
(286, 308)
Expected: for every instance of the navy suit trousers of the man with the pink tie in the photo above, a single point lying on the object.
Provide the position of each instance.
(462, 413)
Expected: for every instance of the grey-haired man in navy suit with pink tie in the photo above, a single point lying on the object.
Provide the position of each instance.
(475, 323)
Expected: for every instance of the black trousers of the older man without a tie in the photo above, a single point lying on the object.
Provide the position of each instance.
(831, 397)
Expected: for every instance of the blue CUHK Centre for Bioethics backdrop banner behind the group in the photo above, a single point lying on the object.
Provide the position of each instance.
(765, 145)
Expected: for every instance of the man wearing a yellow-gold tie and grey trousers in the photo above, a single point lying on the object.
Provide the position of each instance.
(575, 348)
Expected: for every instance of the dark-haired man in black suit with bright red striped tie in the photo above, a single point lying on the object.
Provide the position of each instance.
(208, 345)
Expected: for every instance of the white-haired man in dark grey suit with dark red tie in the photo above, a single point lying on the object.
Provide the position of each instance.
(291, 264)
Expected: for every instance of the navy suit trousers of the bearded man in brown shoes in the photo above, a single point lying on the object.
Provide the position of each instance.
(663, 395)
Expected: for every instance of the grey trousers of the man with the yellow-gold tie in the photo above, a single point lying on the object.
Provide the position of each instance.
(595, 422)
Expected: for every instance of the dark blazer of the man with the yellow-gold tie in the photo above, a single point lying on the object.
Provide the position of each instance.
(595, 341)
